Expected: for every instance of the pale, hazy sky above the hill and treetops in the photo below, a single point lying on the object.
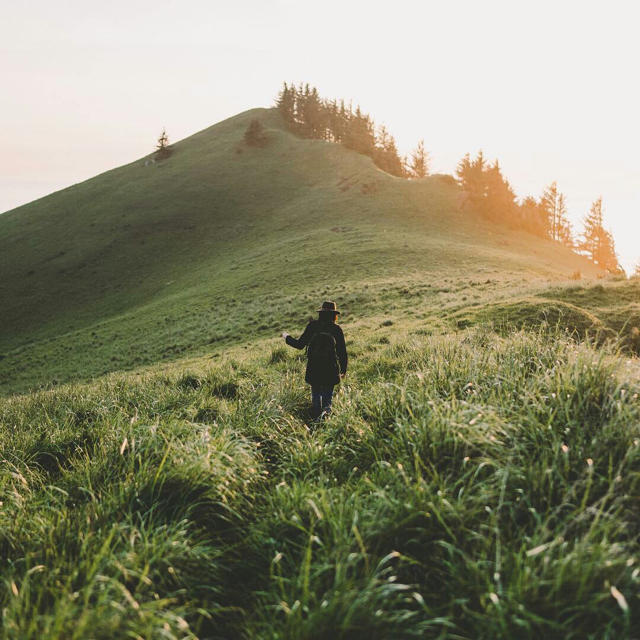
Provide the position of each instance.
(548, 88)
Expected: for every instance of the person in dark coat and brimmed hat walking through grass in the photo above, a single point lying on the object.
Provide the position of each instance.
(326, 356)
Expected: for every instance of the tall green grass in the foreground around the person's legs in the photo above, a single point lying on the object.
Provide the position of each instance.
(466, 486)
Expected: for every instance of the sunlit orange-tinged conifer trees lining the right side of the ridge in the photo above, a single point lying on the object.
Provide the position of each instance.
(485, 190)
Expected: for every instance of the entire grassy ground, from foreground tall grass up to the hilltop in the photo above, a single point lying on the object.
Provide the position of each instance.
(479, 476)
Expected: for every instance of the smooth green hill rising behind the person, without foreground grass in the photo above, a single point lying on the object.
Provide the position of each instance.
(220, 243)
